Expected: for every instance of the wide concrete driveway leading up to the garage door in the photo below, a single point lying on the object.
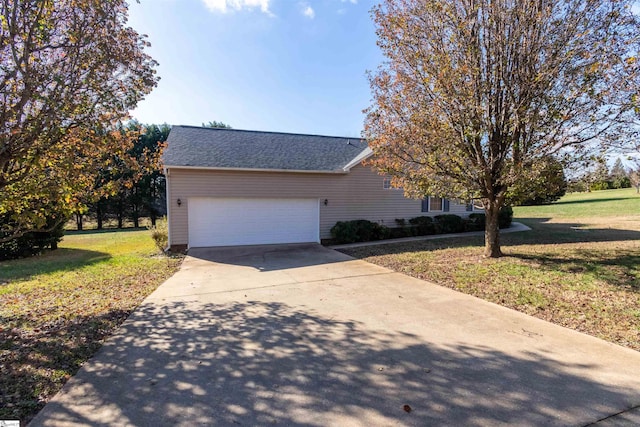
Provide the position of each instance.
(304, 335)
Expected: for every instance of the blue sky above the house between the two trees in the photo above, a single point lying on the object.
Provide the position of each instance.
(275, 65)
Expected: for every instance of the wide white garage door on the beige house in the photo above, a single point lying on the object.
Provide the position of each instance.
(231, 221)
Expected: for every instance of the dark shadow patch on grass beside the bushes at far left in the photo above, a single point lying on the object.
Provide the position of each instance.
(63, 259)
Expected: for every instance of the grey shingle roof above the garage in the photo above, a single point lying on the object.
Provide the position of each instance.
(242, 149)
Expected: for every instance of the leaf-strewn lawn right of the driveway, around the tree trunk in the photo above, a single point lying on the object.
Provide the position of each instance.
(579, 267)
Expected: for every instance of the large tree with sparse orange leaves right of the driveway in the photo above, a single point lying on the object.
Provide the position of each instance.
(474, 92)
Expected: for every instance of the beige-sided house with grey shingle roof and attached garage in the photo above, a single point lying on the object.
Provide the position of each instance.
(236, 187)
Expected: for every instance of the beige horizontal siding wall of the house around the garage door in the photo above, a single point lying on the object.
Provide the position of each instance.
(355, 195)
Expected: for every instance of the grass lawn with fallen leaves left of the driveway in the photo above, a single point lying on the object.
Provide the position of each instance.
(56, 309)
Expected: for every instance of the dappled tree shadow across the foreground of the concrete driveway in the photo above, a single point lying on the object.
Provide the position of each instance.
(265, 363)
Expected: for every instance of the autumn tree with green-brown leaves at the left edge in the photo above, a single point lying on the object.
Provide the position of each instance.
(70, 71)
